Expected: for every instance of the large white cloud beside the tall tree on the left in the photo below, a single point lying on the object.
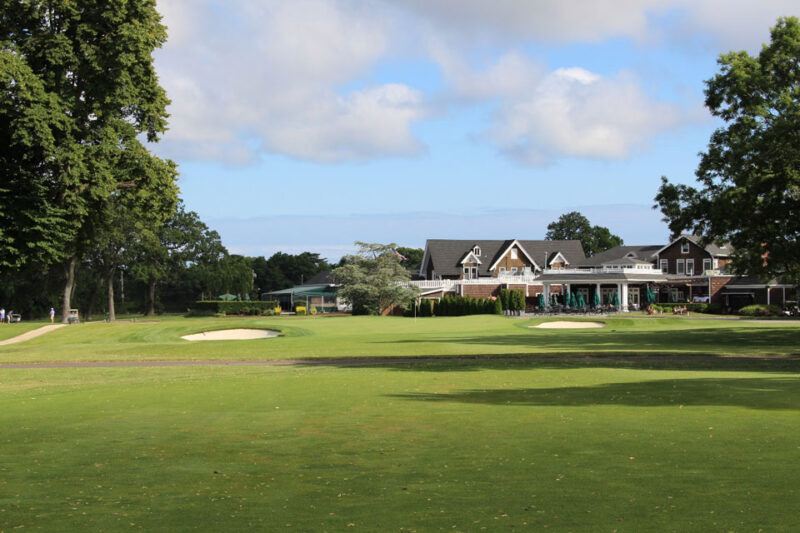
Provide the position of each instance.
(269, 76)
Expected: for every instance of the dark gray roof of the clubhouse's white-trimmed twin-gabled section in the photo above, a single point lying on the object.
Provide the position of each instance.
(447, 254)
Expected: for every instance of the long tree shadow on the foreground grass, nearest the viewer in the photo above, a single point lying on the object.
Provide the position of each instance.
(752, 393)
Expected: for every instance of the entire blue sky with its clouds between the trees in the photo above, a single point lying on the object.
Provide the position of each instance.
(309, 124)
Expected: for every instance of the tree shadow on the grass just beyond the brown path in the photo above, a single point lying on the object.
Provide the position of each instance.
(749, 341)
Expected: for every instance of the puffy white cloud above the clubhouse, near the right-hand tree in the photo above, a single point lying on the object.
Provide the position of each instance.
(576, 113)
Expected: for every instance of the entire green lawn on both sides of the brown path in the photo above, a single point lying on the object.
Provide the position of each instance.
(570, 444)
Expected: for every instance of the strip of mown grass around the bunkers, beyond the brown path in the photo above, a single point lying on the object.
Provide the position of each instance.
(377, 336)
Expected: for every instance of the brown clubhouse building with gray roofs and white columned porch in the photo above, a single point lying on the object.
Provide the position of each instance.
(681, 271)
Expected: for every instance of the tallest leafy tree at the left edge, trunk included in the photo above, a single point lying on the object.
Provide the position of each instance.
(91, 62)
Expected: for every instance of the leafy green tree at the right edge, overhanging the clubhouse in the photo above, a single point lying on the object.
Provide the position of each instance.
(749, 177)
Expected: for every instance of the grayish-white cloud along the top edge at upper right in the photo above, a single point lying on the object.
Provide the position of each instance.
(737, 24)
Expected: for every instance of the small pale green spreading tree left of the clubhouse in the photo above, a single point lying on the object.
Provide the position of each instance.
(372, 279)
